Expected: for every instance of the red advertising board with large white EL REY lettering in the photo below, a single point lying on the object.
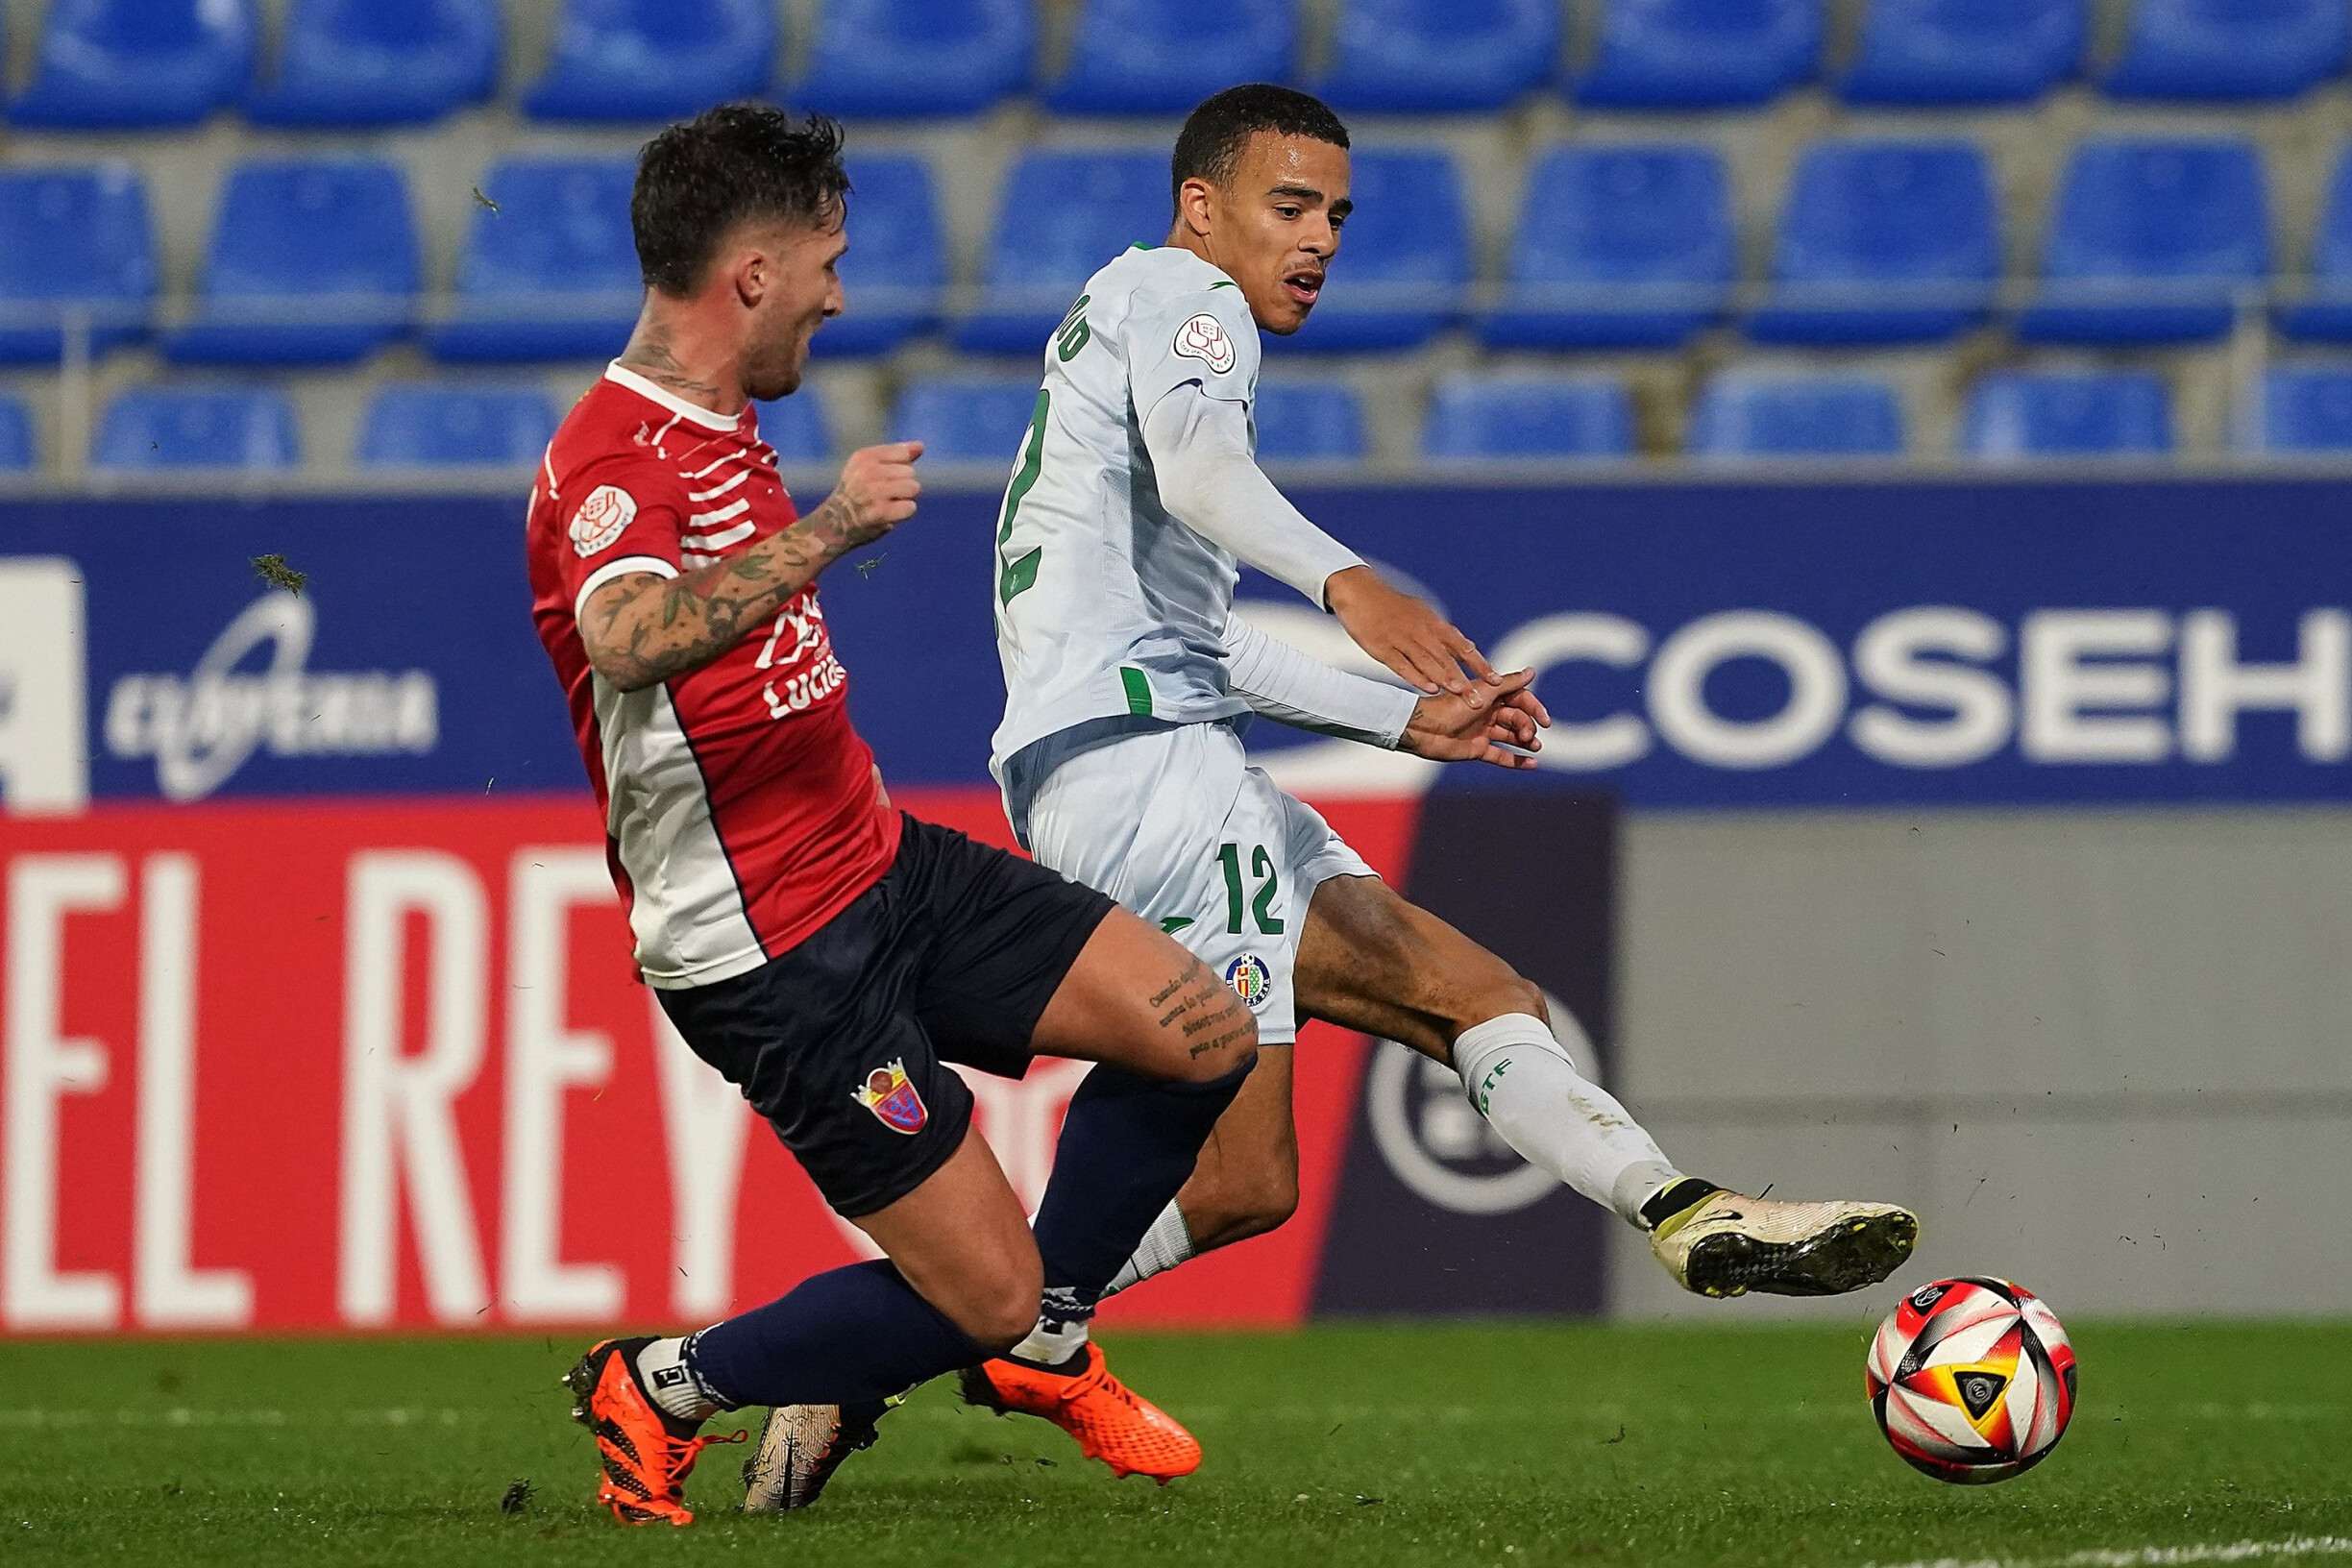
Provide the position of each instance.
(387, 1066)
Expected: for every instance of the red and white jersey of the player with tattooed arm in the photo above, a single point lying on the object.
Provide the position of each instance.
(742, 810)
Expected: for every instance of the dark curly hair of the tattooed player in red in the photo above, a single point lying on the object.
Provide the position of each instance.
(730, 163)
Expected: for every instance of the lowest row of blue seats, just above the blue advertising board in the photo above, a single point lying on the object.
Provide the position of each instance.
(1739, 415)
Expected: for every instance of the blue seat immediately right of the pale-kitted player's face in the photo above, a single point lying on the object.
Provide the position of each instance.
(1403, 264)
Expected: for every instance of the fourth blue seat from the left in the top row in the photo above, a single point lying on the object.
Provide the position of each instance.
(911, 60)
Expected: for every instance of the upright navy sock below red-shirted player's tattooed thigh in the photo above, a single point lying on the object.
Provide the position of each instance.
(1125, 1151)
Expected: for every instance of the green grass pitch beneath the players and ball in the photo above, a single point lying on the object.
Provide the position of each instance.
(1332, 1447)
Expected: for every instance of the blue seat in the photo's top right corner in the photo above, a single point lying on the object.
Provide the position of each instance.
(2231, 48)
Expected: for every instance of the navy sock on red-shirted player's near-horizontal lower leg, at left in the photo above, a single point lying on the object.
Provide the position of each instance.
(848, 1336)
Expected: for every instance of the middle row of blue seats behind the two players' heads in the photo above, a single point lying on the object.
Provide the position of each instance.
(319, 262)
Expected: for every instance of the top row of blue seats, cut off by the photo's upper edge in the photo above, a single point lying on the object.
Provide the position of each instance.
(368, 62)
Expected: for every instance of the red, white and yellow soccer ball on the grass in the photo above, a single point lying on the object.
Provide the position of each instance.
(1972, 1381)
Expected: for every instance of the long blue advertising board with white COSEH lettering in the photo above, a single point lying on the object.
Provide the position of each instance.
(1702, 645)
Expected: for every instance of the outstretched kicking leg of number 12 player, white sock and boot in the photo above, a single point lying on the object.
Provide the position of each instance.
(1375, 963)
